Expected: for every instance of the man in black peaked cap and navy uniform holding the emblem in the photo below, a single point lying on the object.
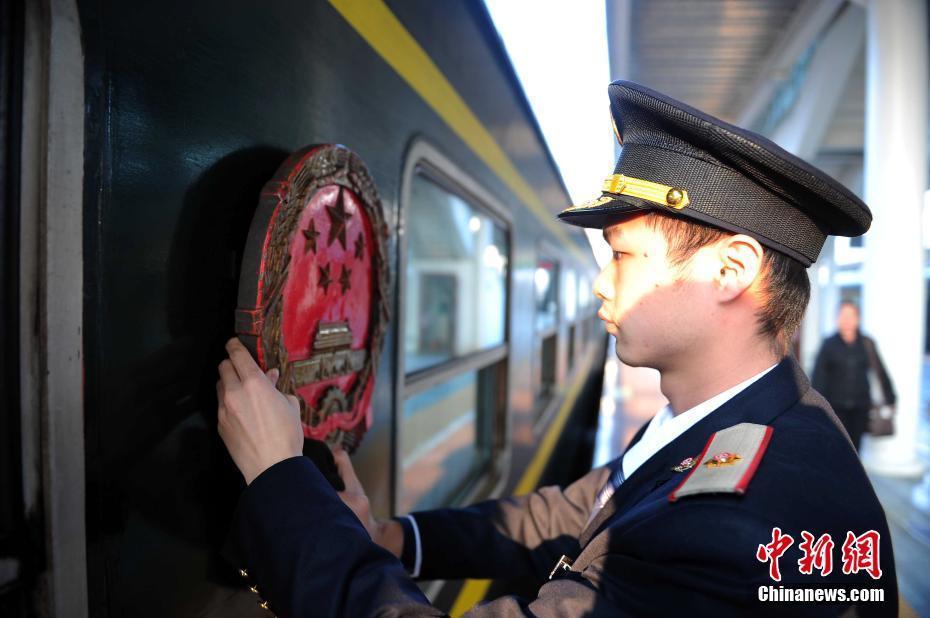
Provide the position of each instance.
(744, 496)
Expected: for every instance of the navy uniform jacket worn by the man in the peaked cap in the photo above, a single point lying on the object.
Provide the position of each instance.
(642, 554)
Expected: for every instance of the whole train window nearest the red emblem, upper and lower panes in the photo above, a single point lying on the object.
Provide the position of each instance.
(455, 293)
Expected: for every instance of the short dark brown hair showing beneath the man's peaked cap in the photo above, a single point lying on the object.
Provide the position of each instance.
(786, 287)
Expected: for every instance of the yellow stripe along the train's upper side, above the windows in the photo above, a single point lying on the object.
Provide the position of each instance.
(375, 22)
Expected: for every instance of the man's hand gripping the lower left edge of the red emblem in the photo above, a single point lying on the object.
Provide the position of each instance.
(259, 425)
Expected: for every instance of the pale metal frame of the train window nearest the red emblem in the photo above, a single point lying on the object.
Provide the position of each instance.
(422, 157)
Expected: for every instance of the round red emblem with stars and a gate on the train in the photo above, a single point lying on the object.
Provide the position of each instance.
(313, 294)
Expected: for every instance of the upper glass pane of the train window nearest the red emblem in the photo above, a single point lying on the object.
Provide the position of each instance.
(456, 277)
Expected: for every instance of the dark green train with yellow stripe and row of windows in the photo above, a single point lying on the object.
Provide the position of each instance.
(137, 137)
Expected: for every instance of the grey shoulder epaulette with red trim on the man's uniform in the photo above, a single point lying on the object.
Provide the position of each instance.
(727, 463)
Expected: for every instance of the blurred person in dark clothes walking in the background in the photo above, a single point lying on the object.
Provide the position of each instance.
(841, 374)
